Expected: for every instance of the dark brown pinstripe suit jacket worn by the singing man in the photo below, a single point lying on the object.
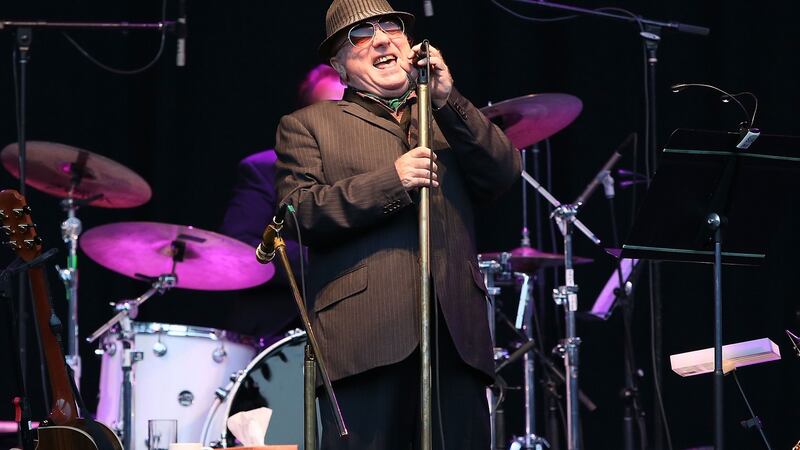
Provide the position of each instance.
(336, 166)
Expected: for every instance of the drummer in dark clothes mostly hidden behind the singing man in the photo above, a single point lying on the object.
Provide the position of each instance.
(269, 309)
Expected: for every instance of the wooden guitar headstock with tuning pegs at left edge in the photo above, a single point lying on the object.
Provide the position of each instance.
(17, 229)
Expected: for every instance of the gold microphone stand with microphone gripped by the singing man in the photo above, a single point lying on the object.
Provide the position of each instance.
(424, 119)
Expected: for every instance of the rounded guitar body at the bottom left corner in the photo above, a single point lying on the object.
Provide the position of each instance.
(85, 434)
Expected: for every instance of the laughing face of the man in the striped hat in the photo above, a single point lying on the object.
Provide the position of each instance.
(381, 67)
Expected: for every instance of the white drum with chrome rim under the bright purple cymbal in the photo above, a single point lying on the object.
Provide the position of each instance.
(180, 368)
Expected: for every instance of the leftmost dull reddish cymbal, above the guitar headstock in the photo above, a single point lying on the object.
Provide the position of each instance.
(52, 168)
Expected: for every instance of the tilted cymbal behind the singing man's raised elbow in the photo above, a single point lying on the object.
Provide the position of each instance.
(532, 118)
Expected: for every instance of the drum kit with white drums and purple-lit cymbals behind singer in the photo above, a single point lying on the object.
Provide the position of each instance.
(231, 372)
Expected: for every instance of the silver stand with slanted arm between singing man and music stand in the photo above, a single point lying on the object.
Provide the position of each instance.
(567, 295)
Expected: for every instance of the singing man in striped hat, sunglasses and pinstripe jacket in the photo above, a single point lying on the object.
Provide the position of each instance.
(352, 170)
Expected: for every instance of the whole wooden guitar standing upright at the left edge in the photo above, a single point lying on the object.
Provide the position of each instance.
(64, 429)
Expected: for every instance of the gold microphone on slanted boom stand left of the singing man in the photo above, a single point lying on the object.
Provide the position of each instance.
(313, 355)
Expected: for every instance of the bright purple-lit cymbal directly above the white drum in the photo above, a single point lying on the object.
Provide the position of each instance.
(211, 261)
